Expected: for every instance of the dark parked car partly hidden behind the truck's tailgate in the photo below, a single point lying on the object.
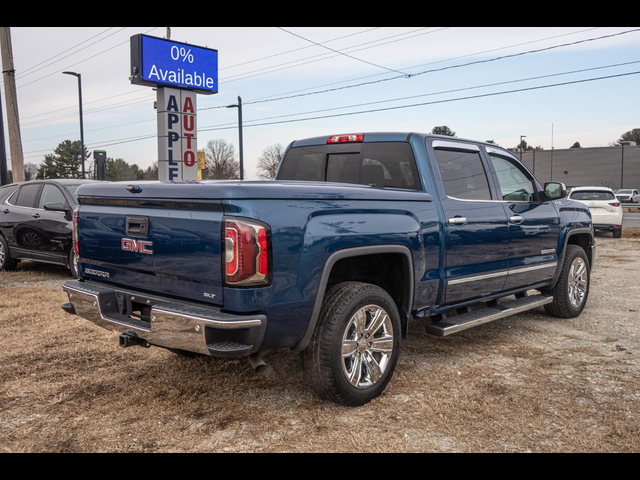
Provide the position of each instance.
(36, 223)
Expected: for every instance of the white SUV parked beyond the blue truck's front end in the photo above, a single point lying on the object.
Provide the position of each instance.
(605, 208)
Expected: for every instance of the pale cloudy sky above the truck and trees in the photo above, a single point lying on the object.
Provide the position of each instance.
(331, 72)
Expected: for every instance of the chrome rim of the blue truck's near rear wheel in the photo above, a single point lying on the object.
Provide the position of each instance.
(367, 347)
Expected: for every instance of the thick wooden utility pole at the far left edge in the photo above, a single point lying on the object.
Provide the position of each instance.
(13, 117)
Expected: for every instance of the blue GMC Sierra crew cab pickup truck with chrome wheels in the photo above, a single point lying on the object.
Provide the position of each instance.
(359, 235)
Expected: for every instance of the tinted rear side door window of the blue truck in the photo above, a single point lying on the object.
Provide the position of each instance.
(464, 175)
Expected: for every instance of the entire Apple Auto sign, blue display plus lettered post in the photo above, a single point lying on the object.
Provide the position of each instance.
(180, 72)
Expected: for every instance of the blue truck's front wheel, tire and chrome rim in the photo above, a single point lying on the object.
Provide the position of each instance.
(572, 290)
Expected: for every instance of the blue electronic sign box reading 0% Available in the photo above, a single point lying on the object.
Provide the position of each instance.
(157, 62)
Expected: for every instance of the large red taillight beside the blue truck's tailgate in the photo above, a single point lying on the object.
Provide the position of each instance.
(247, 254)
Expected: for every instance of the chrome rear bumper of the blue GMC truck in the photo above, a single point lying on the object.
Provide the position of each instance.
(172, 325)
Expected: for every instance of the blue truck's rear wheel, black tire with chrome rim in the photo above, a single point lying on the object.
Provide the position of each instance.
(355, 349)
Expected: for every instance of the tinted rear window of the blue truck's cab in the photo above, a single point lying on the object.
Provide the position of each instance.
(389, 165)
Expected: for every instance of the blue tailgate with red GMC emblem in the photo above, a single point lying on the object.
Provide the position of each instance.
(169, 247)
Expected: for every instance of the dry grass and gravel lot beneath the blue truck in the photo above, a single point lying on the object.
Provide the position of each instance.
(526, 384)
